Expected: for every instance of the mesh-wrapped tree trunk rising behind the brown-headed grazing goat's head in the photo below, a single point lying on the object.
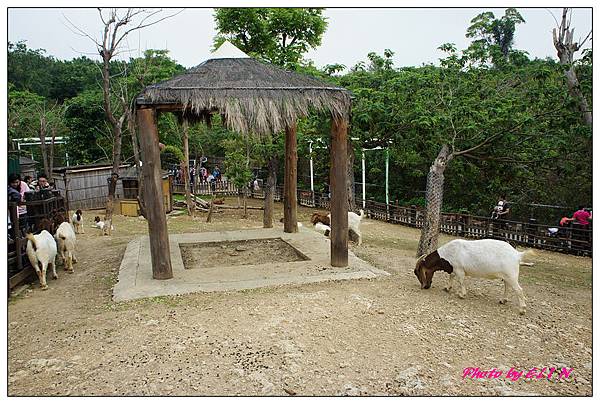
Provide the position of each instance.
(434, 196)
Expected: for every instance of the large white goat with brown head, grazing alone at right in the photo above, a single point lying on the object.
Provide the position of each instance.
(490, 259)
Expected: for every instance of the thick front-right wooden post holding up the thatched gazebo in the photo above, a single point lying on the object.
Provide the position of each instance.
(339, 197)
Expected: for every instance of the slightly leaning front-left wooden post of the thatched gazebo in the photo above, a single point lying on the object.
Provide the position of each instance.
(157, 220)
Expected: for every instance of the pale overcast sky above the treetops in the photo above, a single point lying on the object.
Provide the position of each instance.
(412, 33)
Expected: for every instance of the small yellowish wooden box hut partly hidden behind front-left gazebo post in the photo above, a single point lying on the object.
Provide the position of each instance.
(128, 204)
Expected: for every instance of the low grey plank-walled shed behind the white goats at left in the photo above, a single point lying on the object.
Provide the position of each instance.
(86, 186)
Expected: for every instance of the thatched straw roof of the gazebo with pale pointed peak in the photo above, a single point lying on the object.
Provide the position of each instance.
(253, 97)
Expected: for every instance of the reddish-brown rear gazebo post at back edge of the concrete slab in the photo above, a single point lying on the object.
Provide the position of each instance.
(290, 222)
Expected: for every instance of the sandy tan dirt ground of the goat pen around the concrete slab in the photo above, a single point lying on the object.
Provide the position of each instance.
(381, 337)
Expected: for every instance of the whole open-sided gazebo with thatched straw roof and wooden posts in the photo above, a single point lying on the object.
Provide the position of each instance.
(253, 98)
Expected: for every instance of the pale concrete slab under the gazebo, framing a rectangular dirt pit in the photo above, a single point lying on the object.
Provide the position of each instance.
(135, 273)
